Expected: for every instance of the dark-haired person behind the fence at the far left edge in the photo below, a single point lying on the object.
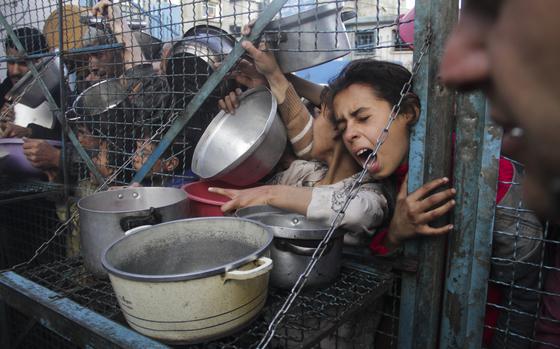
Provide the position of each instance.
(17, 66)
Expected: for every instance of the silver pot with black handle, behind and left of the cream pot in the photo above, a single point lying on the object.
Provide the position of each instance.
(106, 216)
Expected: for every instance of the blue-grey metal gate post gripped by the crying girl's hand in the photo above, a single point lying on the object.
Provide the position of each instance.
(430, 158)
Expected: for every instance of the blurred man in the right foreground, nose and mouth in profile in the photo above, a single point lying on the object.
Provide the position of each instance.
(510, 49)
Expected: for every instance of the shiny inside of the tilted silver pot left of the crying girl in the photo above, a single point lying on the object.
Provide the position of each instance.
(228, 138)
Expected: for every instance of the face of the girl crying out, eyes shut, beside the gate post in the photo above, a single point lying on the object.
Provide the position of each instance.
(361, 117)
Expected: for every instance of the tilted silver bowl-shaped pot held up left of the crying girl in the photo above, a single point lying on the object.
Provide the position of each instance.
(242, 148)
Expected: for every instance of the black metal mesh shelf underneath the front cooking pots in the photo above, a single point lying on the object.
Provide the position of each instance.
(314, 315)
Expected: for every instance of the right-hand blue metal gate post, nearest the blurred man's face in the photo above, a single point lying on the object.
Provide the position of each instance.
(476, 173)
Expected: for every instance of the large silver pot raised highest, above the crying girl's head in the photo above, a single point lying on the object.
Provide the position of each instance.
(309, 38)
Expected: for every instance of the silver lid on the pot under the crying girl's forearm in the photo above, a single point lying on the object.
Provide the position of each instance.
(286, 224)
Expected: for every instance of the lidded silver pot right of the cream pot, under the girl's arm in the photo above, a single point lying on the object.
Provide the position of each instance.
(295, 241)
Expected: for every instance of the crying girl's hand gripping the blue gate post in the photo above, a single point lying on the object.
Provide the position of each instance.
(414, 212)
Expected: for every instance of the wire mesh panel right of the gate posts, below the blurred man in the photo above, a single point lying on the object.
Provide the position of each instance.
(522, 270)
